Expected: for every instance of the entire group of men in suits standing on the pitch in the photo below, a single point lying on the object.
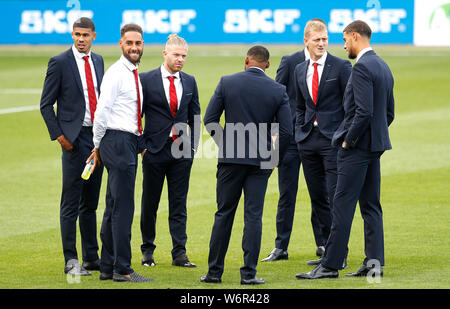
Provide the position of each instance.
(319, 111)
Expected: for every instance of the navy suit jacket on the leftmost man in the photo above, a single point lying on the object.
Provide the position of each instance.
(63, 85)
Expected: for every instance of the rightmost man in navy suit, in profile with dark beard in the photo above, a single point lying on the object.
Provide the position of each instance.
(363, 136)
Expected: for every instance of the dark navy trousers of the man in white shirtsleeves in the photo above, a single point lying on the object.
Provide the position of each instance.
(118, 151)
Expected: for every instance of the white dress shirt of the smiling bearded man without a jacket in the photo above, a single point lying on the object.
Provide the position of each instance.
(117, 105)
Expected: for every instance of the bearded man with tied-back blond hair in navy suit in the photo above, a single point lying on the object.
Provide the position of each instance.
(171, 107)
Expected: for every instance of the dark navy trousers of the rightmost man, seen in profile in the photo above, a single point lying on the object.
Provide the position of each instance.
(358, 179)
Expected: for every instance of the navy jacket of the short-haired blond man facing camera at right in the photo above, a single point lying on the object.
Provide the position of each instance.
(329, 109)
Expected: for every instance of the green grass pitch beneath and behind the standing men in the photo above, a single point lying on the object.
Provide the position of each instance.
(415, 183)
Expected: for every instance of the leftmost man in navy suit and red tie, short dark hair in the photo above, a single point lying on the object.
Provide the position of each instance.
(73, 81)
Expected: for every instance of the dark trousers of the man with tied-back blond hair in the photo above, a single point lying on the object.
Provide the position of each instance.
(155, 168)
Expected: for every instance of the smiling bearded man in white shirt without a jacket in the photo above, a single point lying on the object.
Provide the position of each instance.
(117, 128)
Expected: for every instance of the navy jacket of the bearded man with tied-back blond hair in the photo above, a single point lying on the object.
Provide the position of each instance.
(158, 117)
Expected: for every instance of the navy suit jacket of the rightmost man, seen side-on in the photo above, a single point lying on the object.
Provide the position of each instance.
(368, 105)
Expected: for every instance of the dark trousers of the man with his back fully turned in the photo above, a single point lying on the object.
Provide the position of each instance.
(232, 179)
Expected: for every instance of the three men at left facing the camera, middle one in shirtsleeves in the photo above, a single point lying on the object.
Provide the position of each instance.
(118, 99)
